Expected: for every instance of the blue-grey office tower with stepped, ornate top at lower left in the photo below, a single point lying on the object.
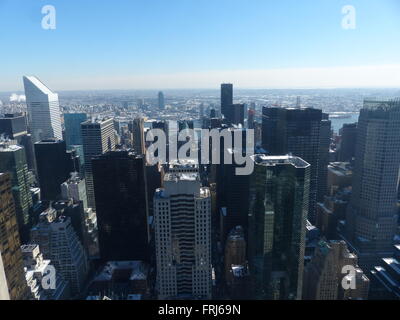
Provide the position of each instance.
(59, 243)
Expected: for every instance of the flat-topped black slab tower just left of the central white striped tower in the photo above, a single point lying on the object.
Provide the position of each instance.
(120, 188)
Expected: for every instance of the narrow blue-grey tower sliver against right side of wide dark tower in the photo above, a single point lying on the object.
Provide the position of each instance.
(323, 161)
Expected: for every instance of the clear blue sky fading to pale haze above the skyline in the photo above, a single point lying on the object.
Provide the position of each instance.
(165, 44)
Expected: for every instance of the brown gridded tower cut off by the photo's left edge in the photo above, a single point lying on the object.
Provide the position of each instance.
(12, 280)
